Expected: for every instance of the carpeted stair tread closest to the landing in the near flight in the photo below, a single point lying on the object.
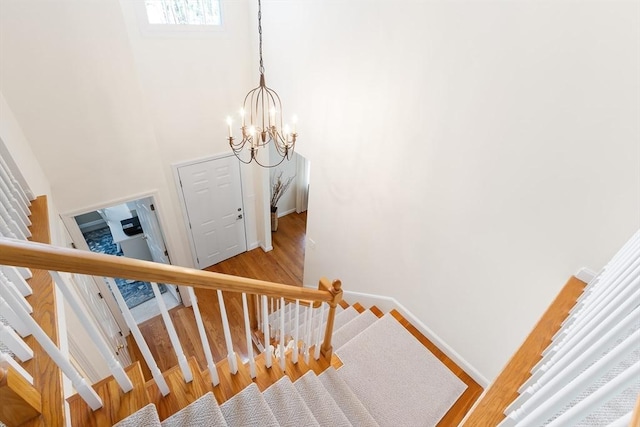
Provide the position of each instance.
(353, 409)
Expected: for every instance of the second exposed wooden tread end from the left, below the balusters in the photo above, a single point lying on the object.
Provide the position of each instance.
(181, 393)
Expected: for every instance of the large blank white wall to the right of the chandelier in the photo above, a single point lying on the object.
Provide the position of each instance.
(468, 157)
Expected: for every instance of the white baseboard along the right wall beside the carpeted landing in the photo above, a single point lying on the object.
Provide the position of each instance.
(387, 304)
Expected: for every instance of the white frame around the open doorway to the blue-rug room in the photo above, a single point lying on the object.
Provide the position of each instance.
(68, 218)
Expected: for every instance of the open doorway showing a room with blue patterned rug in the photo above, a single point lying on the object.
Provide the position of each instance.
(130, 229)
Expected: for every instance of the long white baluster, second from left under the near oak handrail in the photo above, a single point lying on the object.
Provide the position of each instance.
(114, 366)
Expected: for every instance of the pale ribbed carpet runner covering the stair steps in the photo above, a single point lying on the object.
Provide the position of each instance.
(312, 400)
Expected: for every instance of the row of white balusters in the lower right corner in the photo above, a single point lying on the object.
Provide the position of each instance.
(593, 358)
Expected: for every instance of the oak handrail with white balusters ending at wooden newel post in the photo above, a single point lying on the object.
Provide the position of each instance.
(55, 259)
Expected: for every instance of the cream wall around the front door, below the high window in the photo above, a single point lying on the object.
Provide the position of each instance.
(108, 111)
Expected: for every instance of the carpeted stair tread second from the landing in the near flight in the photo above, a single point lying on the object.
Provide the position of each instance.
(320, 402)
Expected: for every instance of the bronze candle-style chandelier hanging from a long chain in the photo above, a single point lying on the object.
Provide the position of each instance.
(261, 118)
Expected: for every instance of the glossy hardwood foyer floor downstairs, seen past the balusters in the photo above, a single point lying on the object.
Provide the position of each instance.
(284, 264)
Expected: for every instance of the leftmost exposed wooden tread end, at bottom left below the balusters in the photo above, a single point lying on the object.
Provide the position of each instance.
(116, 403)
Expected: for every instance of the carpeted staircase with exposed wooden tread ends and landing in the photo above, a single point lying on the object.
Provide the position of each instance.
(306, 393)
